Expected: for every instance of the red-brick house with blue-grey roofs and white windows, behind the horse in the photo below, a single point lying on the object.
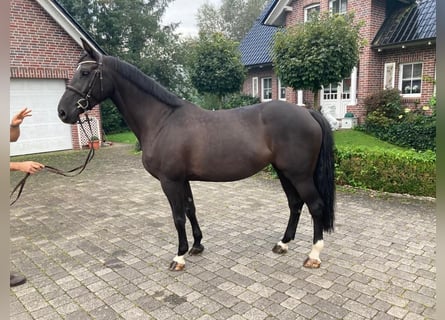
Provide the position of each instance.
(401, 52)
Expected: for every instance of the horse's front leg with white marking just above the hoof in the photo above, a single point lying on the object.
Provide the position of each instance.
(175, 193)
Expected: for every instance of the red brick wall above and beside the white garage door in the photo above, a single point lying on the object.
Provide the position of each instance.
(40, 48)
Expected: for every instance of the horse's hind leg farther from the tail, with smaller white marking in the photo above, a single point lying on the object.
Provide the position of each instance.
(295, 205)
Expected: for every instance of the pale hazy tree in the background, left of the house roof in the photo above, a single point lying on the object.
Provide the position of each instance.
(234, 18)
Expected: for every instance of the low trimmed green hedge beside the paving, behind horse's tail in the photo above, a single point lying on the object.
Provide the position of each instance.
(408, 172)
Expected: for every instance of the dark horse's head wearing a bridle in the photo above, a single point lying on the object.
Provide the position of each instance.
(86, 88)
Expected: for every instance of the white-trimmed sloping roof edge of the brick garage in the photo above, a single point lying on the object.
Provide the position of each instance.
(68, 23)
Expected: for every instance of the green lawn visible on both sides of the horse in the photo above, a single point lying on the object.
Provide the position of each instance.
(341, 137)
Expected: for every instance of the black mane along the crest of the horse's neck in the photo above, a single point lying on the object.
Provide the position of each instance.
(144, 82)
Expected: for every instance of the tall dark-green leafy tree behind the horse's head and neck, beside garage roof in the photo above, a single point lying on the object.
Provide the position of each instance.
(132, 31)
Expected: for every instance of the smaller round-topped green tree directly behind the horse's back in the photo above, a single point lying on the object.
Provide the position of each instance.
(215, 67)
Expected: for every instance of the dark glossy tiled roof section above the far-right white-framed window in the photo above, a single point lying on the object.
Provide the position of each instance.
(408, 24)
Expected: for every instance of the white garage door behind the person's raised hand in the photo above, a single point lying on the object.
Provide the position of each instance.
(44, 131)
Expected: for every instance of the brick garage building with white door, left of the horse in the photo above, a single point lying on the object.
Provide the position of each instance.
(44, 49)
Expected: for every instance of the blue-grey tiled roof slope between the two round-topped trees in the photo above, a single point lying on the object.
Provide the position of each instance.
(256, 46)
